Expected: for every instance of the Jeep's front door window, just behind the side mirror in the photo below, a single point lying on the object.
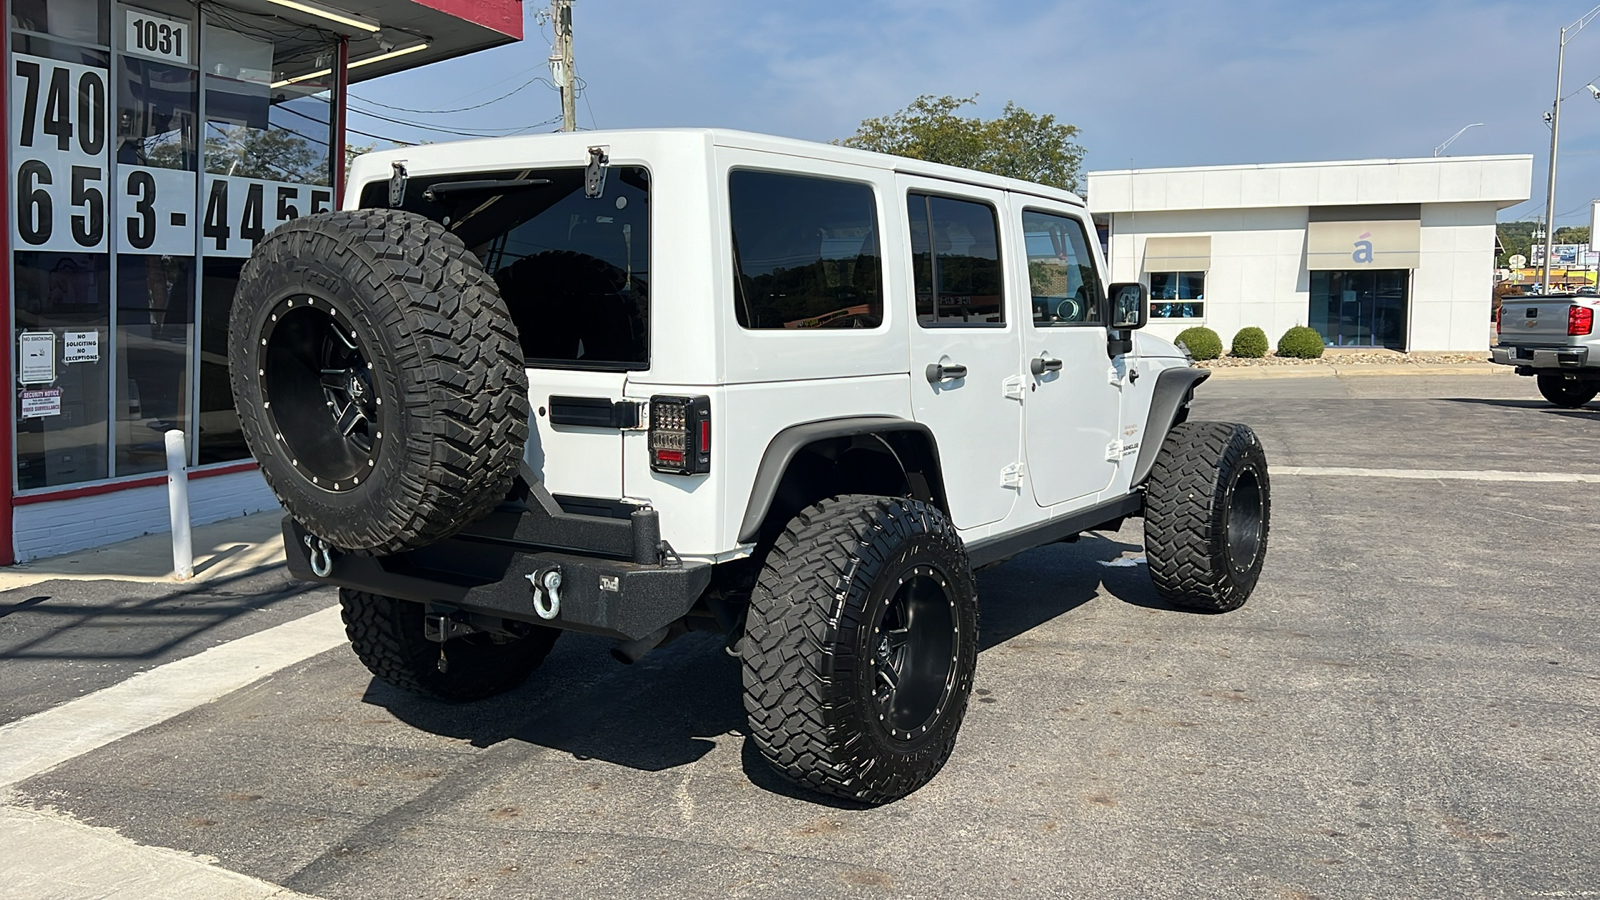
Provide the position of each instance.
(1062, 275)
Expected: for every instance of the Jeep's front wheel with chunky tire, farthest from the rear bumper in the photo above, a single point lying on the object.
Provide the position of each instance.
(1207, 513)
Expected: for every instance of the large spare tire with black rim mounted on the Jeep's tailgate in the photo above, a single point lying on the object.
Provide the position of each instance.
(378, 379)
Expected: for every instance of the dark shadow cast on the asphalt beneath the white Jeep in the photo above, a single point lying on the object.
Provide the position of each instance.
(684, 701)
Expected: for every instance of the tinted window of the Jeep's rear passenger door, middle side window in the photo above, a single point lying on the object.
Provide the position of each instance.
(956, 262)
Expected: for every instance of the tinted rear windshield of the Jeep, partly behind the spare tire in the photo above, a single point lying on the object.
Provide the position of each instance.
(574, 270)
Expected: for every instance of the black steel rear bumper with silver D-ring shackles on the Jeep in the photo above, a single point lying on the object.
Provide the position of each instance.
(601, 597)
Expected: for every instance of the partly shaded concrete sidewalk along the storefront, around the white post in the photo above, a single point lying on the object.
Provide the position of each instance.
(222, 550)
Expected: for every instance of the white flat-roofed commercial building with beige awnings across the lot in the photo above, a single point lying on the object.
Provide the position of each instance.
(1388, 254)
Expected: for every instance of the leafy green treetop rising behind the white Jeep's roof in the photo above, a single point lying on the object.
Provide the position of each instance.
(1017, 145)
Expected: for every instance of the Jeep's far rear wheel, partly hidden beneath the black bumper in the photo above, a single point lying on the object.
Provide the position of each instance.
(388, 638)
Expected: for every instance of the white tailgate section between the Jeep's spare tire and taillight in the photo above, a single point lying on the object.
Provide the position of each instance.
(575, 444)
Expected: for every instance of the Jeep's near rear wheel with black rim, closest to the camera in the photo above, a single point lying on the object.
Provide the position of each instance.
(860, 648)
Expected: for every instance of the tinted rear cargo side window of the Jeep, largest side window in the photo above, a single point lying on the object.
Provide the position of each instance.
(806, 252)
